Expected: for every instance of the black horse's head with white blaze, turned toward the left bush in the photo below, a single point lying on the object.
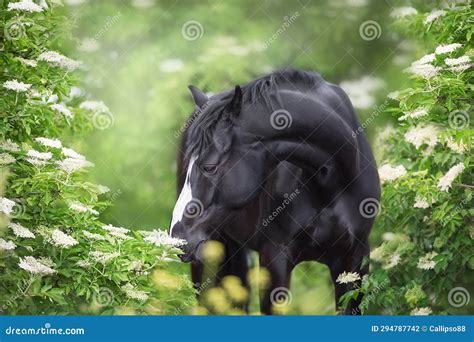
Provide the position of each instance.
(224, 172)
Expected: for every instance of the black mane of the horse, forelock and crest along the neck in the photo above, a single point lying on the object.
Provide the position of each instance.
(260, 91)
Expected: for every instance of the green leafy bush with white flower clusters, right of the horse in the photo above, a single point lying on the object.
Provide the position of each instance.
(428, 208)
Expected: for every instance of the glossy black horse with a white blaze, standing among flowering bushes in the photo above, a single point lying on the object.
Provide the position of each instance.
(280, 166)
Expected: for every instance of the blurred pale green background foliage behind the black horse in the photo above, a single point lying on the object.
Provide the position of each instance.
(139, 63)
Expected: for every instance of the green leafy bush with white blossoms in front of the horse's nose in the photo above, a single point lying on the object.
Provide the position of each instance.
(56, 256)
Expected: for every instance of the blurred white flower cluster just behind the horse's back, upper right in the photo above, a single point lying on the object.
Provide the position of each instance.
(359, 90)
